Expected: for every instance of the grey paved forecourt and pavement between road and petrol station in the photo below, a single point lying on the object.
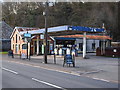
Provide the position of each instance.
(96, 67)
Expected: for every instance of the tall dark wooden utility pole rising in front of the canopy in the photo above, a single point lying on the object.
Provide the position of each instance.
(46, 34)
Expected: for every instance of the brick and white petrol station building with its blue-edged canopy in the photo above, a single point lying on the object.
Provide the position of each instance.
(85, 39)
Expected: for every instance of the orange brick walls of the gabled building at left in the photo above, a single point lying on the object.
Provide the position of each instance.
(21, 42)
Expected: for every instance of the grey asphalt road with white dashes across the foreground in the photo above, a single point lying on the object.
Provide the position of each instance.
(15, 75)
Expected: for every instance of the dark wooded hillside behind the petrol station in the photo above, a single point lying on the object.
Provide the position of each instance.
(88, 14)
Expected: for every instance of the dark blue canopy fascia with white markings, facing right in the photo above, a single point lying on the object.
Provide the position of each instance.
(85, 29)
